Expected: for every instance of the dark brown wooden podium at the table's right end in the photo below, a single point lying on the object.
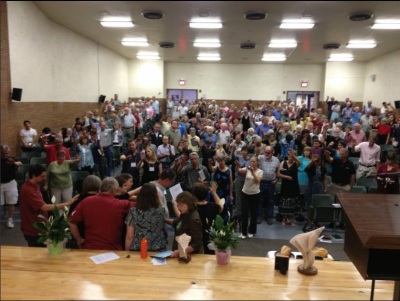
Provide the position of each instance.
(372, 237)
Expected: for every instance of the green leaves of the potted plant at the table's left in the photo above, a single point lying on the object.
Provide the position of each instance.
(54, 229)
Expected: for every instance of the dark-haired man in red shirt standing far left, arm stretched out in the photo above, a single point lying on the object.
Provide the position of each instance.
(31, 204)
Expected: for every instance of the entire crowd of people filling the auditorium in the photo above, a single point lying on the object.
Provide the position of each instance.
(229, 155)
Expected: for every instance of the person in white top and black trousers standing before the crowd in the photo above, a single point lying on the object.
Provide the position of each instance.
(269, 164)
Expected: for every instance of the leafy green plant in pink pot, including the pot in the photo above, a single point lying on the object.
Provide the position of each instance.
(223, 239)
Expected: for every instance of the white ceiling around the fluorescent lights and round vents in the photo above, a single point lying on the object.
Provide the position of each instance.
(331, 18)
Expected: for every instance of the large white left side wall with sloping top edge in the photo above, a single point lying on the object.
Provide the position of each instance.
(52, 63)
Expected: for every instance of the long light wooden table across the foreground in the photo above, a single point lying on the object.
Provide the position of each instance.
(29, 273)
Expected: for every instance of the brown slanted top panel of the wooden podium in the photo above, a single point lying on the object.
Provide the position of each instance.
(374, 217)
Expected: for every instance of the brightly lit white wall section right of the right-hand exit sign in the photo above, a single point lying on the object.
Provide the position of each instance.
(344, 79)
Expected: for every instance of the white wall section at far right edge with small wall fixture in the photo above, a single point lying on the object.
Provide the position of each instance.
(386, 86)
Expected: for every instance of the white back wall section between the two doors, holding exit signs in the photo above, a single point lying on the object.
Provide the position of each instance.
(241, 81)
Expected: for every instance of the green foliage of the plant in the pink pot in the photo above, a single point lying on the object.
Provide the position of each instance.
(223, 236)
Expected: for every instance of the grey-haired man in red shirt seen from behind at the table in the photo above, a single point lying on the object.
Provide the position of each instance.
(103, 217)
